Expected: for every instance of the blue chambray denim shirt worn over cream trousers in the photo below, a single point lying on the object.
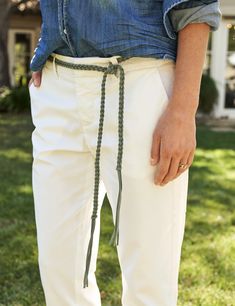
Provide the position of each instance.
(118, 27)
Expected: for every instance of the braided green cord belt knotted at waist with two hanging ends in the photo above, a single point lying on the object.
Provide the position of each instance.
(111, 69)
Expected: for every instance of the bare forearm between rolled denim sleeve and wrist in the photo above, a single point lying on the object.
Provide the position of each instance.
(191, 52)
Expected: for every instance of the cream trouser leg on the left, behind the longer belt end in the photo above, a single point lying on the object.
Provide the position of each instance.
(63, 177)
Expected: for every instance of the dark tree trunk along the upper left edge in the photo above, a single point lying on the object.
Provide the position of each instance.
(6, 7)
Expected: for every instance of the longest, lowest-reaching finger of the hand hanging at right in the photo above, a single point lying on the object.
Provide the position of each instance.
(162, 166)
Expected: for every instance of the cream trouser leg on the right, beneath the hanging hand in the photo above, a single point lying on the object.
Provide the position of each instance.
(152, 218)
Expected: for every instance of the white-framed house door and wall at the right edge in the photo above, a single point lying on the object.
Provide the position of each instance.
(221, 60)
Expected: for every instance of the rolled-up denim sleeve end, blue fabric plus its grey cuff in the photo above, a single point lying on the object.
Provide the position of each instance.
(177, 14)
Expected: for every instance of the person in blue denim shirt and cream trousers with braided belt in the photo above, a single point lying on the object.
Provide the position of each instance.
(114, 93)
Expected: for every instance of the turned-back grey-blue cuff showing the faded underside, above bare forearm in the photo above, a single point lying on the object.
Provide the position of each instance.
(207, 13)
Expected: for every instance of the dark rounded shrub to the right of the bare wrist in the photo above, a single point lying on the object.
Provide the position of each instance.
(208, 94)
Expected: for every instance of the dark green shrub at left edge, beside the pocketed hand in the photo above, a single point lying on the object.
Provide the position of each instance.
(16, 99)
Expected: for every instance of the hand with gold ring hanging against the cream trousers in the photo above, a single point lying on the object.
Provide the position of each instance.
(174, 141)
